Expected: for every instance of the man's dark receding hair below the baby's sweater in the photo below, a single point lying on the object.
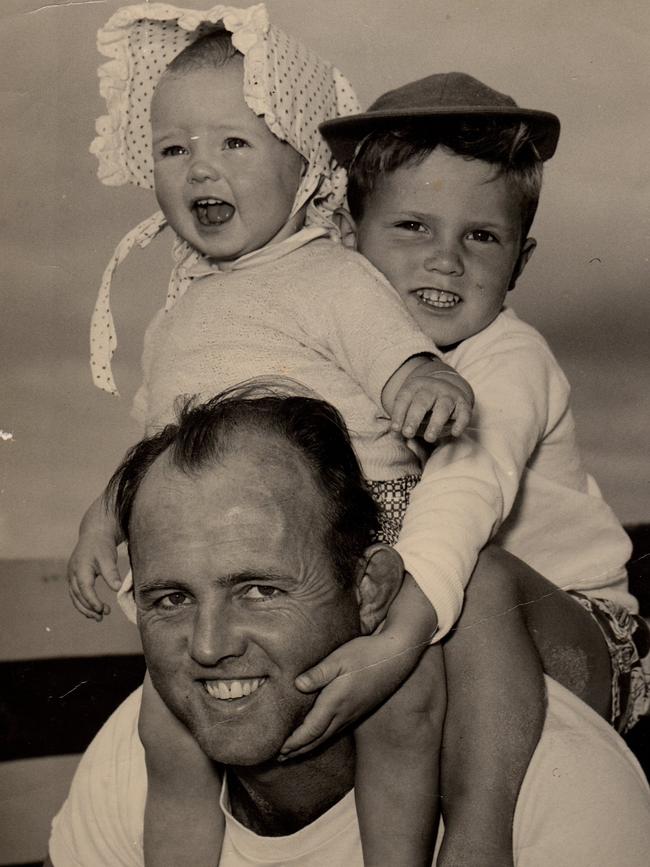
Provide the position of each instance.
(205, 432)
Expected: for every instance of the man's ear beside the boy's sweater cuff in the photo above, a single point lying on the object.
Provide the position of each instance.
(379, 579)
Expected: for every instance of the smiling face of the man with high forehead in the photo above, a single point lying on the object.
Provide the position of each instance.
(236, 595)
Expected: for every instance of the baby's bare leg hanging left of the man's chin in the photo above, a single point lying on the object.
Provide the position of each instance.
(183, 823)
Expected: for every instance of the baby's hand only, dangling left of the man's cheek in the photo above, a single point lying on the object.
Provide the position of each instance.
(95, 555)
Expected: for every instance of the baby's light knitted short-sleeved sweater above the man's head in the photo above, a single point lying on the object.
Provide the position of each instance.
(321, 315)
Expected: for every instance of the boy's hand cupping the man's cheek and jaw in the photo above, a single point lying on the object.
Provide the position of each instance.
(356, 678)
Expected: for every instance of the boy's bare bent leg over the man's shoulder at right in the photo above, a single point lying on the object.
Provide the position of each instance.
(515, 625)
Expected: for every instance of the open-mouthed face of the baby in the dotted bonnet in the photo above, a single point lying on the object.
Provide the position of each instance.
(225, 183)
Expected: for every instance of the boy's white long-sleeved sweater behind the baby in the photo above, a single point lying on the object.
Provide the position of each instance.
(517, 477)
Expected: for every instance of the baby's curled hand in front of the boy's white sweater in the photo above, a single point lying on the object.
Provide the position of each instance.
(435, 390)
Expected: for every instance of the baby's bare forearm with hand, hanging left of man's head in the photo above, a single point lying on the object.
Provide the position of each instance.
(95, 554)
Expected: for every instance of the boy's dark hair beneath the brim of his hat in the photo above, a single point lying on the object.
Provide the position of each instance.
(507, 146)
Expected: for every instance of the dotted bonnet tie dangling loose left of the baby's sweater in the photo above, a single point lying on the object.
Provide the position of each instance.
(103, 339)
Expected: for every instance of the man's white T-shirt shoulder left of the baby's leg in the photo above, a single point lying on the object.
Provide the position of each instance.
(101, 821)
